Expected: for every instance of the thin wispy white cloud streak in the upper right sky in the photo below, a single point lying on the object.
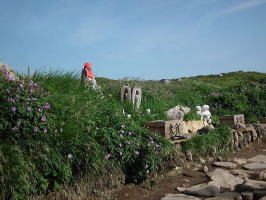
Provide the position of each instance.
(243, 6)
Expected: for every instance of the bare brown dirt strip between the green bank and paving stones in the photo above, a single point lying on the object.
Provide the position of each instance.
(157, 189)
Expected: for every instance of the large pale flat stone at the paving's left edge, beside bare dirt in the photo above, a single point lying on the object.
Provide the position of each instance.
(224, 179)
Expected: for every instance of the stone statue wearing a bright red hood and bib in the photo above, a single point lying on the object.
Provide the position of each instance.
(87, 76)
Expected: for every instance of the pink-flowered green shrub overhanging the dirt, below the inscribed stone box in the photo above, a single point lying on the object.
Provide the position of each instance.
(139, 153)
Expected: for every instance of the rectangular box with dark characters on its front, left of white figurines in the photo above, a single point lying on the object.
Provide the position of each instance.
(166, 129)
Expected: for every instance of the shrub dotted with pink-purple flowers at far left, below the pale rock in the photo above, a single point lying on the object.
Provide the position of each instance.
(24, 111)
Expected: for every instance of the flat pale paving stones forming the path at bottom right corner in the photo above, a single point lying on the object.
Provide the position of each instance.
(229, 180)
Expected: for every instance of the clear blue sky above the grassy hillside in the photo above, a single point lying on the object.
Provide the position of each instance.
(147, 39)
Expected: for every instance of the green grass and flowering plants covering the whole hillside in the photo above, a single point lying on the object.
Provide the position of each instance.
(54, 131)
